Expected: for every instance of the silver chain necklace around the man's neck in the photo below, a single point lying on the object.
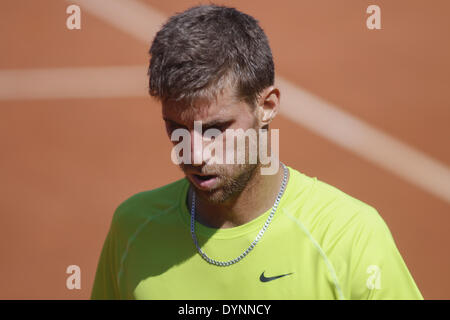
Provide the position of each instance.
(258, 237)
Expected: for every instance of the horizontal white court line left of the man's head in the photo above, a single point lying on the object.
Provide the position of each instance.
(67, 83)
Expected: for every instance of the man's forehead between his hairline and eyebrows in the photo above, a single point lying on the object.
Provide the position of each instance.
(225, 106)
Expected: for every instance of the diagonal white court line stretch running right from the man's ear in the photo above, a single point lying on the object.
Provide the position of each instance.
(363, 139)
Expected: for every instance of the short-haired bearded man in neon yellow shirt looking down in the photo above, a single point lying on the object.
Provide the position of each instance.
(228, 231)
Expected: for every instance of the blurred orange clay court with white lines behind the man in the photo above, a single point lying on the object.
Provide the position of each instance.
(367, 111)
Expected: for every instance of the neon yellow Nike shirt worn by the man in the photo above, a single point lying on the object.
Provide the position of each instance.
(323, 243)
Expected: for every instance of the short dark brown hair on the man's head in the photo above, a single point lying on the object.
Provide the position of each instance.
(202, 51)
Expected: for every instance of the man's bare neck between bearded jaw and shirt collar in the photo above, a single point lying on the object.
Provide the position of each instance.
(255, 199)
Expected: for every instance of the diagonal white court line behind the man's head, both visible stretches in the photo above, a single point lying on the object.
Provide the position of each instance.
(322, 118)
